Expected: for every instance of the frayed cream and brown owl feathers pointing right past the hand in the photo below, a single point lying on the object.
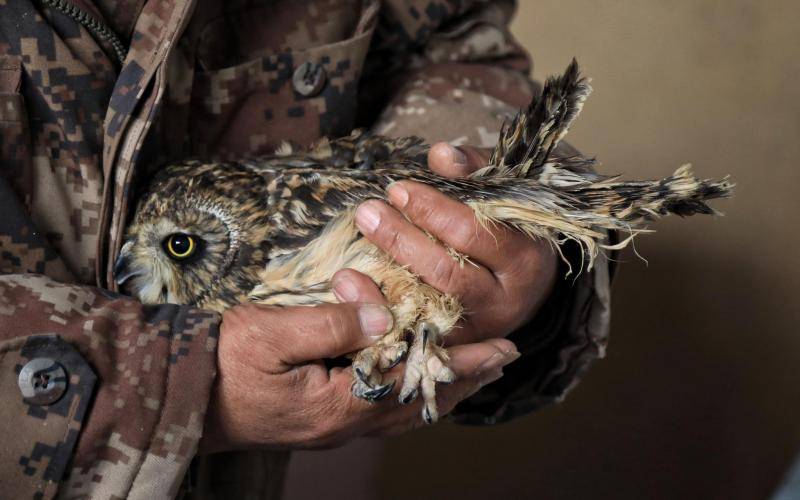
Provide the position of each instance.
(583, 212)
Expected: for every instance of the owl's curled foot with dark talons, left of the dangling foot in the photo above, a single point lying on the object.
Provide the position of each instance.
(368, 365)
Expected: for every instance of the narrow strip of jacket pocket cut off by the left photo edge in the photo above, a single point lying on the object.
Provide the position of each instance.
(15, 144)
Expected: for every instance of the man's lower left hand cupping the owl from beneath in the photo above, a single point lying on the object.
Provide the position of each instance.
(272, 390)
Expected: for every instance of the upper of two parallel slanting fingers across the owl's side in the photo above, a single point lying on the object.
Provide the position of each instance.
(455, 224)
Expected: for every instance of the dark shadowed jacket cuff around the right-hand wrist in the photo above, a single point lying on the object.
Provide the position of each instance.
(558, 346)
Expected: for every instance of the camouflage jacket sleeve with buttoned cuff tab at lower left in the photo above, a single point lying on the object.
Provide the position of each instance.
(102, 396)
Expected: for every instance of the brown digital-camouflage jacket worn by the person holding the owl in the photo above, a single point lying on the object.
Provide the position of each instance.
(104, 396)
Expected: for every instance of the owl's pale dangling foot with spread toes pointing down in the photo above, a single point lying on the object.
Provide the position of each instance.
(426, 365)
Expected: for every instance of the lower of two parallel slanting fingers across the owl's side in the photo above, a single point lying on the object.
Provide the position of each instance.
(410, 246)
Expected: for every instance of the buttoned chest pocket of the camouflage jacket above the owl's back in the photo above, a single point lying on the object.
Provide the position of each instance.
(287, 91)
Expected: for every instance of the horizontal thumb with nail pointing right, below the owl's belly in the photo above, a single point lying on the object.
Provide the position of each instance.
(301, 334)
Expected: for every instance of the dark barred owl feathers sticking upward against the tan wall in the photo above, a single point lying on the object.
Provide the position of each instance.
(526, 142)
